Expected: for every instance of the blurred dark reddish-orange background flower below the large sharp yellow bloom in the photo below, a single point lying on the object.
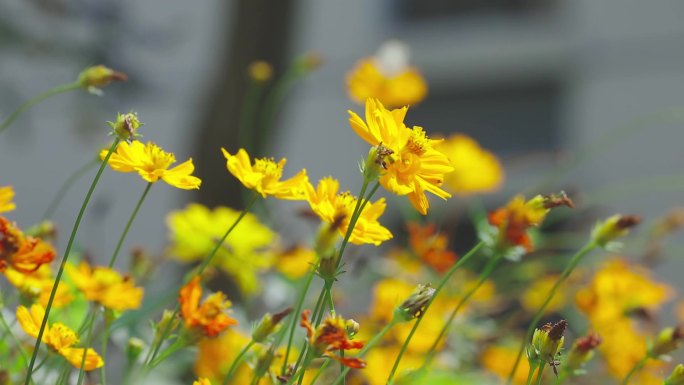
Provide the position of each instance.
(430, 246)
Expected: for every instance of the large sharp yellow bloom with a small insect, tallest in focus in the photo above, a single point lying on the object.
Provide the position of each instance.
(414, 166)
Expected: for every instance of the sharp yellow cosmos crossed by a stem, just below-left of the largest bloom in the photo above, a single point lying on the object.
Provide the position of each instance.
(337, 208)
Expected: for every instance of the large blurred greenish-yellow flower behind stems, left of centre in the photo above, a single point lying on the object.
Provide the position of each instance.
(195, 231)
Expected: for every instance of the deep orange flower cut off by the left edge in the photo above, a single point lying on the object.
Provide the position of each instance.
(23, 253)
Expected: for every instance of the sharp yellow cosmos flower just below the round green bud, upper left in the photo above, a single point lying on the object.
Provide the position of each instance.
(152, 164)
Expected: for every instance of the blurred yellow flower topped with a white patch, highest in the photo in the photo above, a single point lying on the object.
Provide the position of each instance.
(387, 77)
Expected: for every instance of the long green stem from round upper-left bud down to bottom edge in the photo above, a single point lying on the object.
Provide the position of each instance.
(62, 265)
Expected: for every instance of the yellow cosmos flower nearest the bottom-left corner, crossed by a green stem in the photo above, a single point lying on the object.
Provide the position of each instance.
(58, 337)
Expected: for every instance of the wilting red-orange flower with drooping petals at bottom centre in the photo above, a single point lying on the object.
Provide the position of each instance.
(332, 336)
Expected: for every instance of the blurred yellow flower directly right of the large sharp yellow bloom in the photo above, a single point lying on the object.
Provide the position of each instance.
(476, 170)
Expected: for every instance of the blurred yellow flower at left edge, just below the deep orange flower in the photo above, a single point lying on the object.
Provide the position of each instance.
(38, 284)
